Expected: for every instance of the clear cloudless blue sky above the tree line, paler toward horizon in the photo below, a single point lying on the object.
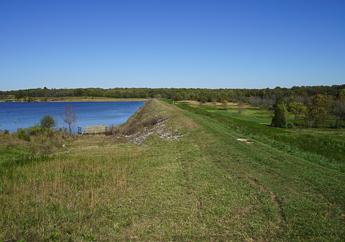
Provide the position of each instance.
(171, 43)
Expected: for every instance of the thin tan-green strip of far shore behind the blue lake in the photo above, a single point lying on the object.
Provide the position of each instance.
(76, 99)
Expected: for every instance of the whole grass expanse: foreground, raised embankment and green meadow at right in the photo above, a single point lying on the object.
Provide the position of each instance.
(285, 185)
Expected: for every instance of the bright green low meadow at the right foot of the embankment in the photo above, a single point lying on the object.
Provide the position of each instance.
(253, 122)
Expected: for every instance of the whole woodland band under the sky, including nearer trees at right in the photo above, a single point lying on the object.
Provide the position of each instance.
(312, 106)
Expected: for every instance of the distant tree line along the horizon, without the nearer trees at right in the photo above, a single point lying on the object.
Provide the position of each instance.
(258, 96)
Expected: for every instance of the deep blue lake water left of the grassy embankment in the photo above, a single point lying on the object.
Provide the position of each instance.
(22, 115)
